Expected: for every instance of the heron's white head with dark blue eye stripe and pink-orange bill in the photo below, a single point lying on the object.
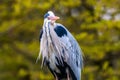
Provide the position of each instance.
(51, 17)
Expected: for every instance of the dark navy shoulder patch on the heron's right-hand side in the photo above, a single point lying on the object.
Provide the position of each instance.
(60, 30)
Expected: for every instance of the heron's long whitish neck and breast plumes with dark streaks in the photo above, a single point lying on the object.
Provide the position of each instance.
(50, 43)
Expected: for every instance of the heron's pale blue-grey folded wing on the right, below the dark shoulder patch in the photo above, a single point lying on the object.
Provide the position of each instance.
(75, 51)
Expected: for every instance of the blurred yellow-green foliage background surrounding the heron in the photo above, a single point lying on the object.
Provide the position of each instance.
(21, 21)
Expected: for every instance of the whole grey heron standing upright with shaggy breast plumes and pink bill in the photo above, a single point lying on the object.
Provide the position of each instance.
(59, 49)
